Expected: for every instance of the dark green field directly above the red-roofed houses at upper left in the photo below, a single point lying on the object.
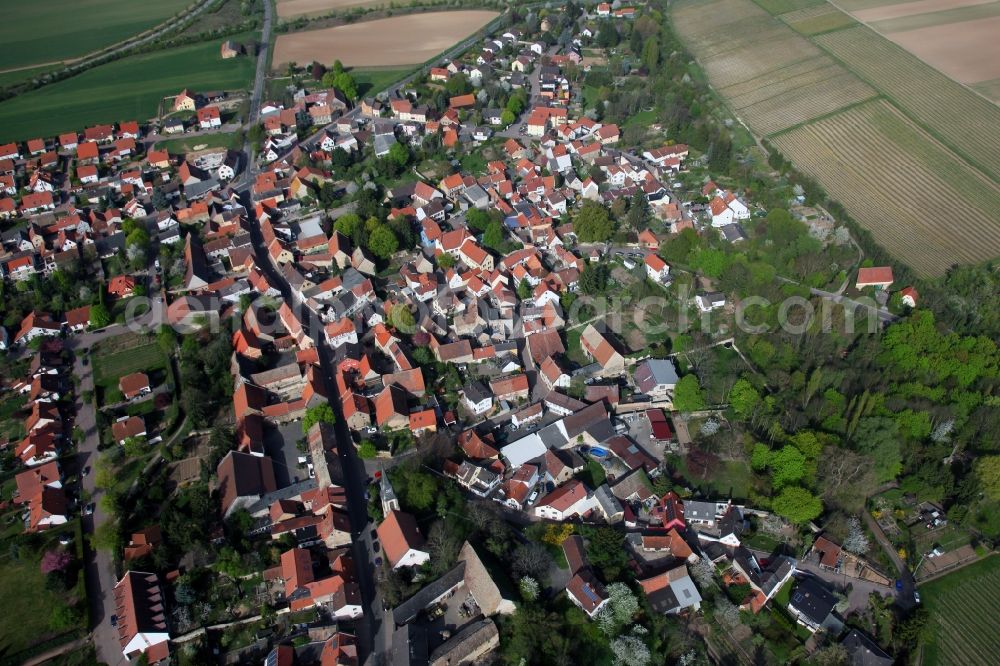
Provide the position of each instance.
(127, 89)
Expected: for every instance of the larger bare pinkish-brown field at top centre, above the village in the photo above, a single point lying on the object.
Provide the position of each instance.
(380, 43)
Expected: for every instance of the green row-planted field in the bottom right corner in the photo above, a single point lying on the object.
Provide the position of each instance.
(963, 607)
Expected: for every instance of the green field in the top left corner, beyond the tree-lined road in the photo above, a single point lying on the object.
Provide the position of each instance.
(42, 32)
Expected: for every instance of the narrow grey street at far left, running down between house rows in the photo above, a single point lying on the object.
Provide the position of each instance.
(100, 574)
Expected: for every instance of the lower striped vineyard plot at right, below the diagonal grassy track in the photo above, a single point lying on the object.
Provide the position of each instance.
(899, 183)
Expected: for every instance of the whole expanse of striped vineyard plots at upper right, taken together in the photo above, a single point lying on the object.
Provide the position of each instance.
(898, 143)
